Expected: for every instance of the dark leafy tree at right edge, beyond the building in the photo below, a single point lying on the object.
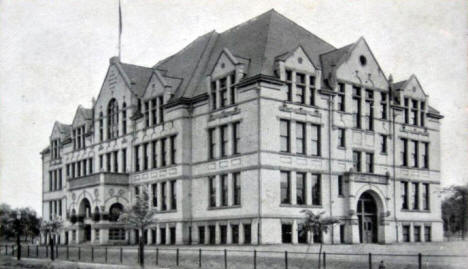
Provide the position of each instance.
(454, 210)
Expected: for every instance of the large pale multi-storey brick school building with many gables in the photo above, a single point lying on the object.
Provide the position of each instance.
(240, 131)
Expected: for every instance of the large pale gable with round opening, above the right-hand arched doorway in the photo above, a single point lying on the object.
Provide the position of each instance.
(360, 66)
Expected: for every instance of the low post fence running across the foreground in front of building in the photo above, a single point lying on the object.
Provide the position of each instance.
(233, 259)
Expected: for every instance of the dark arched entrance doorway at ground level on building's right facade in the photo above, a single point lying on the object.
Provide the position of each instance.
(367, 215)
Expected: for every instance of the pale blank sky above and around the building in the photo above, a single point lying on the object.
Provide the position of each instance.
(54, 56)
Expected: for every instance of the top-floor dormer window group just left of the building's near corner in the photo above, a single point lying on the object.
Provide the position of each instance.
(222, 91)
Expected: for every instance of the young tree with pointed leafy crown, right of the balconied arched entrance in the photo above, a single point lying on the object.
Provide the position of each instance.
(140, 216)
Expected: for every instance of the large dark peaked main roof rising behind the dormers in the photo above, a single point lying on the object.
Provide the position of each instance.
(258, 40)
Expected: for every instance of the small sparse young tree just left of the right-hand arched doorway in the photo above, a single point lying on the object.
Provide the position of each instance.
(318, 225)
